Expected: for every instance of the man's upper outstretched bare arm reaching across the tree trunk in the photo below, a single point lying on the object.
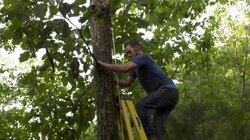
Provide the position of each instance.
(119, 67)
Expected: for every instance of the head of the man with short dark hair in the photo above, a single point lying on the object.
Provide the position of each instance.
(132, 48)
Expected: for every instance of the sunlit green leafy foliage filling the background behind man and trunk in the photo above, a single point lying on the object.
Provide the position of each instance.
(201, 44)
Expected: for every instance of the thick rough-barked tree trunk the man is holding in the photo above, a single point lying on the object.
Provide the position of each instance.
(101, 37)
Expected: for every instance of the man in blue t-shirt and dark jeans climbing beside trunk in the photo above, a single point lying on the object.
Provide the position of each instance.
(162, 93)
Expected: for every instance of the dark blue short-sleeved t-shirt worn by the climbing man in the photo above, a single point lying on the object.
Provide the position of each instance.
(150, 75)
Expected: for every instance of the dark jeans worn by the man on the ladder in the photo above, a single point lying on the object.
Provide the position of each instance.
(162, 101)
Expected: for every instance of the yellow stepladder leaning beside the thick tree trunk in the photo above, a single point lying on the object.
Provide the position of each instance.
(127, 113)
